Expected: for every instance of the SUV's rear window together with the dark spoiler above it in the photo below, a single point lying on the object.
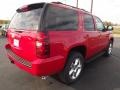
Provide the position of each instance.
(27, 18)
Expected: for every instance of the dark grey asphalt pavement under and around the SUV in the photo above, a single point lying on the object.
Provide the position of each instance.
(101, 74)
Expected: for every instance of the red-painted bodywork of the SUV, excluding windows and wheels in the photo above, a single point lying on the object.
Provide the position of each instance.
(47, 51)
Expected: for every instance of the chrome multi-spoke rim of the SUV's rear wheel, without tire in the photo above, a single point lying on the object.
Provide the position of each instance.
(75, 69)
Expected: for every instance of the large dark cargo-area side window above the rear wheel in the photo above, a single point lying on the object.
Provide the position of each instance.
(58, 18)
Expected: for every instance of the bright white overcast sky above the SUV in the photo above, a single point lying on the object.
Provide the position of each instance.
(107, 10)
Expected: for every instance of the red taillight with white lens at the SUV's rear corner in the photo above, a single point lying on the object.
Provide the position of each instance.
(42, 45)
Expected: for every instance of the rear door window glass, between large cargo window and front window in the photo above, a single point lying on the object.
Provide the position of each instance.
(88, 22)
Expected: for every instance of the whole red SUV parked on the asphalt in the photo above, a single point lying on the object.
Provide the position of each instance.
(54, 38)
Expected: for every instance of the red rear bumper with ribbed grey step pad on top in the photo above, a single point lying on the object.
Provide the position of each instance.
(38, 67)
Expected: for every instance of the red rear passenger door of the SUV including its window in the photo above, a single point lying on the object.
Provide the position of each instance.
(92, 35)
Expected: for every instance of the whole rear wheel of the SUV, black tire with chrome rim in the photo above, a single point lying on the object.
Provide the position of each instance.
(73, 68)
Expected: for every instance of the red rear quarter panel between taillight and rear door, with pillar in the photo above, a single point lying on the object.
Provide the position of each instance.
(62, 41)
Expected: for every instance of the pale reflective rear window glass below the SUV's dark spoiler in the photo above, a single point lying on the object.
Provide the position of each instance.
(28, 20)
